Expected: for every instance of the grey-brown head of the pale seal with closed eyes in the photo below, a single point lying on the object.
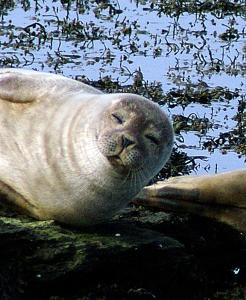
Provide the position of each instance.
(135, 136)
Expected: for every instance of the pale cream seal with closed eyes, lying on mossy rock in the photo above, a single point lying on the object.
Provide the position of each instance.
(71, 153)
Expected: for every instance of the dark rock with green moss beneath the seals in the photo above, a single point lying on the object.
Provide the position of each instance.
(141, 254)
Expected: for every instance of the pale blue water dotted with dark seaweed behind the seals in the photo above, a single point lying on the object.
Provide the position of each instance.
(174, 46)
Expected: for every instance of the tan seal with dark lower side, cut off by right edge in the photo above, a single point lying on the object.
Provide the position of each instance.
(221, 196)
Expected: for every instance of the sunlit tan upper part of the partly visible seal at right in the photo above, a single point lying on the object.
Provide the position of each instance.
(228, 189)
